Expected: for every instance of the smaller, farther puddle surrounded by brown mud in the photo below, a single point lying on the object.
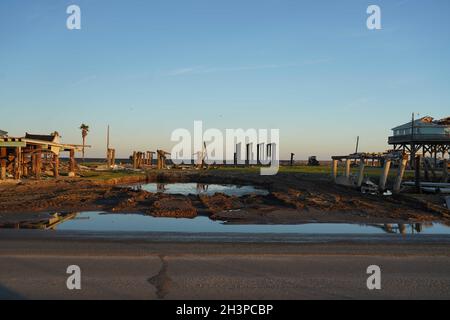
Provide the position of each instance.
(200, 188)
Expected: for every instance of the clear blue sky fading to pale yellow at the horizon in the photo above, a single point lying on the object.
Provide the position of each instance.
(146, 67)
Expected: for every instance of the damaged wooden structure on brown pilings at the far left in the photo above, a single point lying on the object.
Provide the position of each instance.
(29, 156)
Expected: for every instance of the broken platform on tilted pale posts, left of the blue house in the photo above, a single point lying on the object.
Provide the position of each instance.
(361, 160)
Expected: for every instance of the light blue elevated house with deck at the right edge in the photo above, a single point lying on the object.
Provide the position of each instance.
(431, 137)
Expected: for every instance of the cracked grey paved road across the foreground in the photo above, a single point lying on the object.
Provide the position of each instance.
(33, 266)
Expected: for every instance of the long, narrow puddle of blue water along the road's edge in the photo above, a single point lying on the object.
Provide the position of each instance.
(97, 221)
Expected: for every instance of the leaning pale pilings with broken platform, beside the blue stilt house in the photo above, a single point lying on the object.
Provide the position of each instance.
(349, 160)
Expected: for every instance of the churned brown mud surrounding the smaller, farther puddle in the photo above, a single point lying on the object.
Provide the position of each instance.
(292, 198)
